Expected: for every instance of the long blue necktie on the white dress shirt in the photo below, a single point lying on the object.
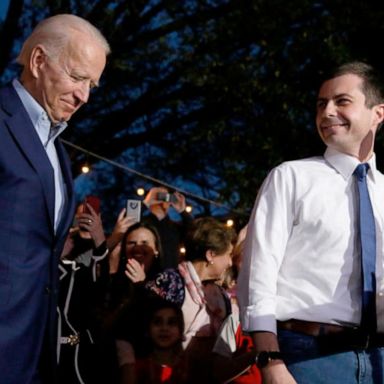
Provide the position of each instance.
(368, 251)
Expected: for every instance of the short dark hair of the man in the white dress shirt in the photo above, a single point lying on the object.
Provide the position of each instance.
(372, 80)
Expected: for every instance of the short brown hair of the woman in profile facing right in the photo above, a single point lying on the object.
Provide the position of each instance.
(206, 234)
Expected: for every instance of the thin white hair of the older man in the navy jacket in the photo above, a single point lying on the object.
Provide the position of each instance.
(55, 32)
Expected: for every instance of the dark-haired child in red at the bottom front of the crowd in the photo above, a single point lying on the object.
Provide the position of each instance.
(162, 359)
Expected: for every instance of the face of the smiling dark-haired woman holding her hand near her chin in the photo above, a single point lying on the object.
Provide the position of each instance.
(141, 245)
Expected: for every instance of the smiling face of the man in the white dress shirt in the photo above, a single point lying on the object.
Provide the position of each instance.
(343, 120)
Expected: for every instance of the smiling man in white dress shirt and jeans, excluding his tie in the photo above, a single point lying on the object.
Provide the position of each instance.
(301, 279)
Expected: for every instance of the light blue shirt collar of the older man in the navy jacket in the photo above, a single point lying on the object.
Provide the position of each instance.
(38, 116)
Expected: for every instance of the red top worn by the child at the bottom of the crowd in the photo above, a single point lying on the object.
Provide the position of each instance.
(149, 371)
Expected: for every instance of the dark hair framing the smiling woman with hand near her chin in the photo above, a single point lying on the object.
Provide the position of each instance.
(156, 266)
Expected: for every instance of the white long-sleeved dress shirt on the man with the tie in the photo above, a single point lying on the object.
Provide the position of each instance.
(301, 256)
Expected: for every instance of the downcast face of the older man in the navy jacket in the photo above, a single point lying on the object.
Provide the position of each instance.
(62, 85)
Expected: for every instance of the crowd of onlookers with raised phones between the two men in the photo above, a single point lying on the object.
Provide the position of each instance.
(125, 317)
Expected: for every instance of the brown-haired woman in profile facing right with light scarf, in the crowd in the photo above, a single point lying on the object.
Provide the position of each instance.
(205, 305)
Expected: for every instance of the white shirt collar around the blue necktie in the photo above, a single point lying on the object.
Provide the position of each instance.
(346, 164)
